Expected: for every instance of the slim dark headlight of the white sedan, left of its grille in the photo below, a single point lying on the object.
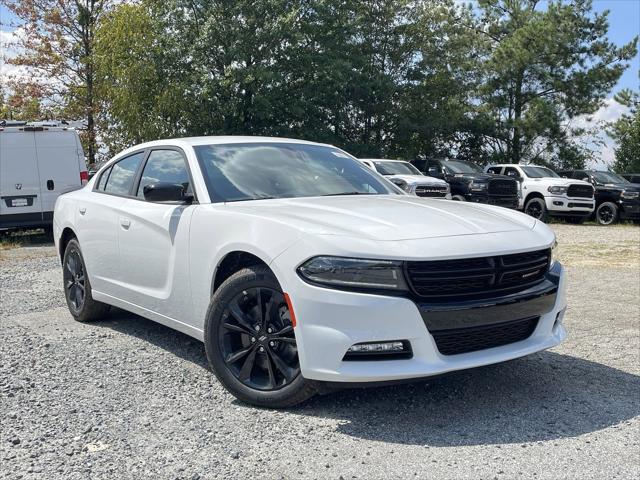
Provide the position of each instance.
(354, 273)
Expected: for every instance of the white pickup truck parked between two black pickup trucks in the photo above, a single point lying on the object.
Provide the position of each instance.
(545, 193)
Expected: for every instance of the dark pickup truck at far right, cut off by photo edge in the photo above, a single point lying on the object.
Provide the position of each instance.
(616, 197)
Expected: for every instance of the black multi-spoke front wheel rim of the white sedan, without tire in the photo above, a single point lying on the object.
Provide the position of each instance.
(257, 340)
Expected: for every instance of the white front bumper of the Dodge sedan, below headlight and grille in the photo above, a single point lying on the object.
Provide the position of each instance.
(330, 321)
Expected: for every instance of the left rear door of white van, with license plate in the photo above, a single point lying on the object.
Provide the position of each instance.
(20, 197)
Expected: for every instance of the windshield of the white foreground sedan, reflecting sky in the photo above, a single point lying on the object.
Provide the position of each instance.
(254, 171)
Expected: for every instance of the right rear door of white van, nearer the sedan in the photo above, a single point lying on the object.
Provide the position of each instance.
(58, 161)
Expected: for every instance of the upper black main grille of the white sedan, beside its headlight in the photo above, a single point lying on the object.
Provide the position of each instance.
(484, 277)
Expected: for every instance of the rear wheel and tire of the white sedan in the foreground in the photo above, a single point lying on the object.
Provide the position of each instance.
(77, 288)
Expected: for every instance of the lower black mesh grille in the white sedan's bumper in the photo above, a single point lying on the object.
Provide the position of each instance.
(465, 340)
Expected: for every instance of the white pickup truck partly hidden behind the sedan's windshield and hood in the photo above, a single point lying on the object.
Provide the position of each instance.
(409, 178)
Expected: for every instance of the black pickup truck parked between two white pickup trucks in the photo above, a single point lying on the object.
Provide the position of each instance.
(469, 183)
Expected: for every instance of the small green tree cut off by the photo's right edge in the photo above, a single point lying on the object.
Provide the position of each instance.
(626, 132)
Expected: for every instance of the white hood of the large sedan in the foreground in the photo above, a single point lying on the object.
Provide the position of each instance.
(385, 217)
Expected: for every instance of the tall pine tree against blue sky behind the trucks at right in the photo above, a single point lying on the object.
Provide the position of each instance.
(542, 68)
